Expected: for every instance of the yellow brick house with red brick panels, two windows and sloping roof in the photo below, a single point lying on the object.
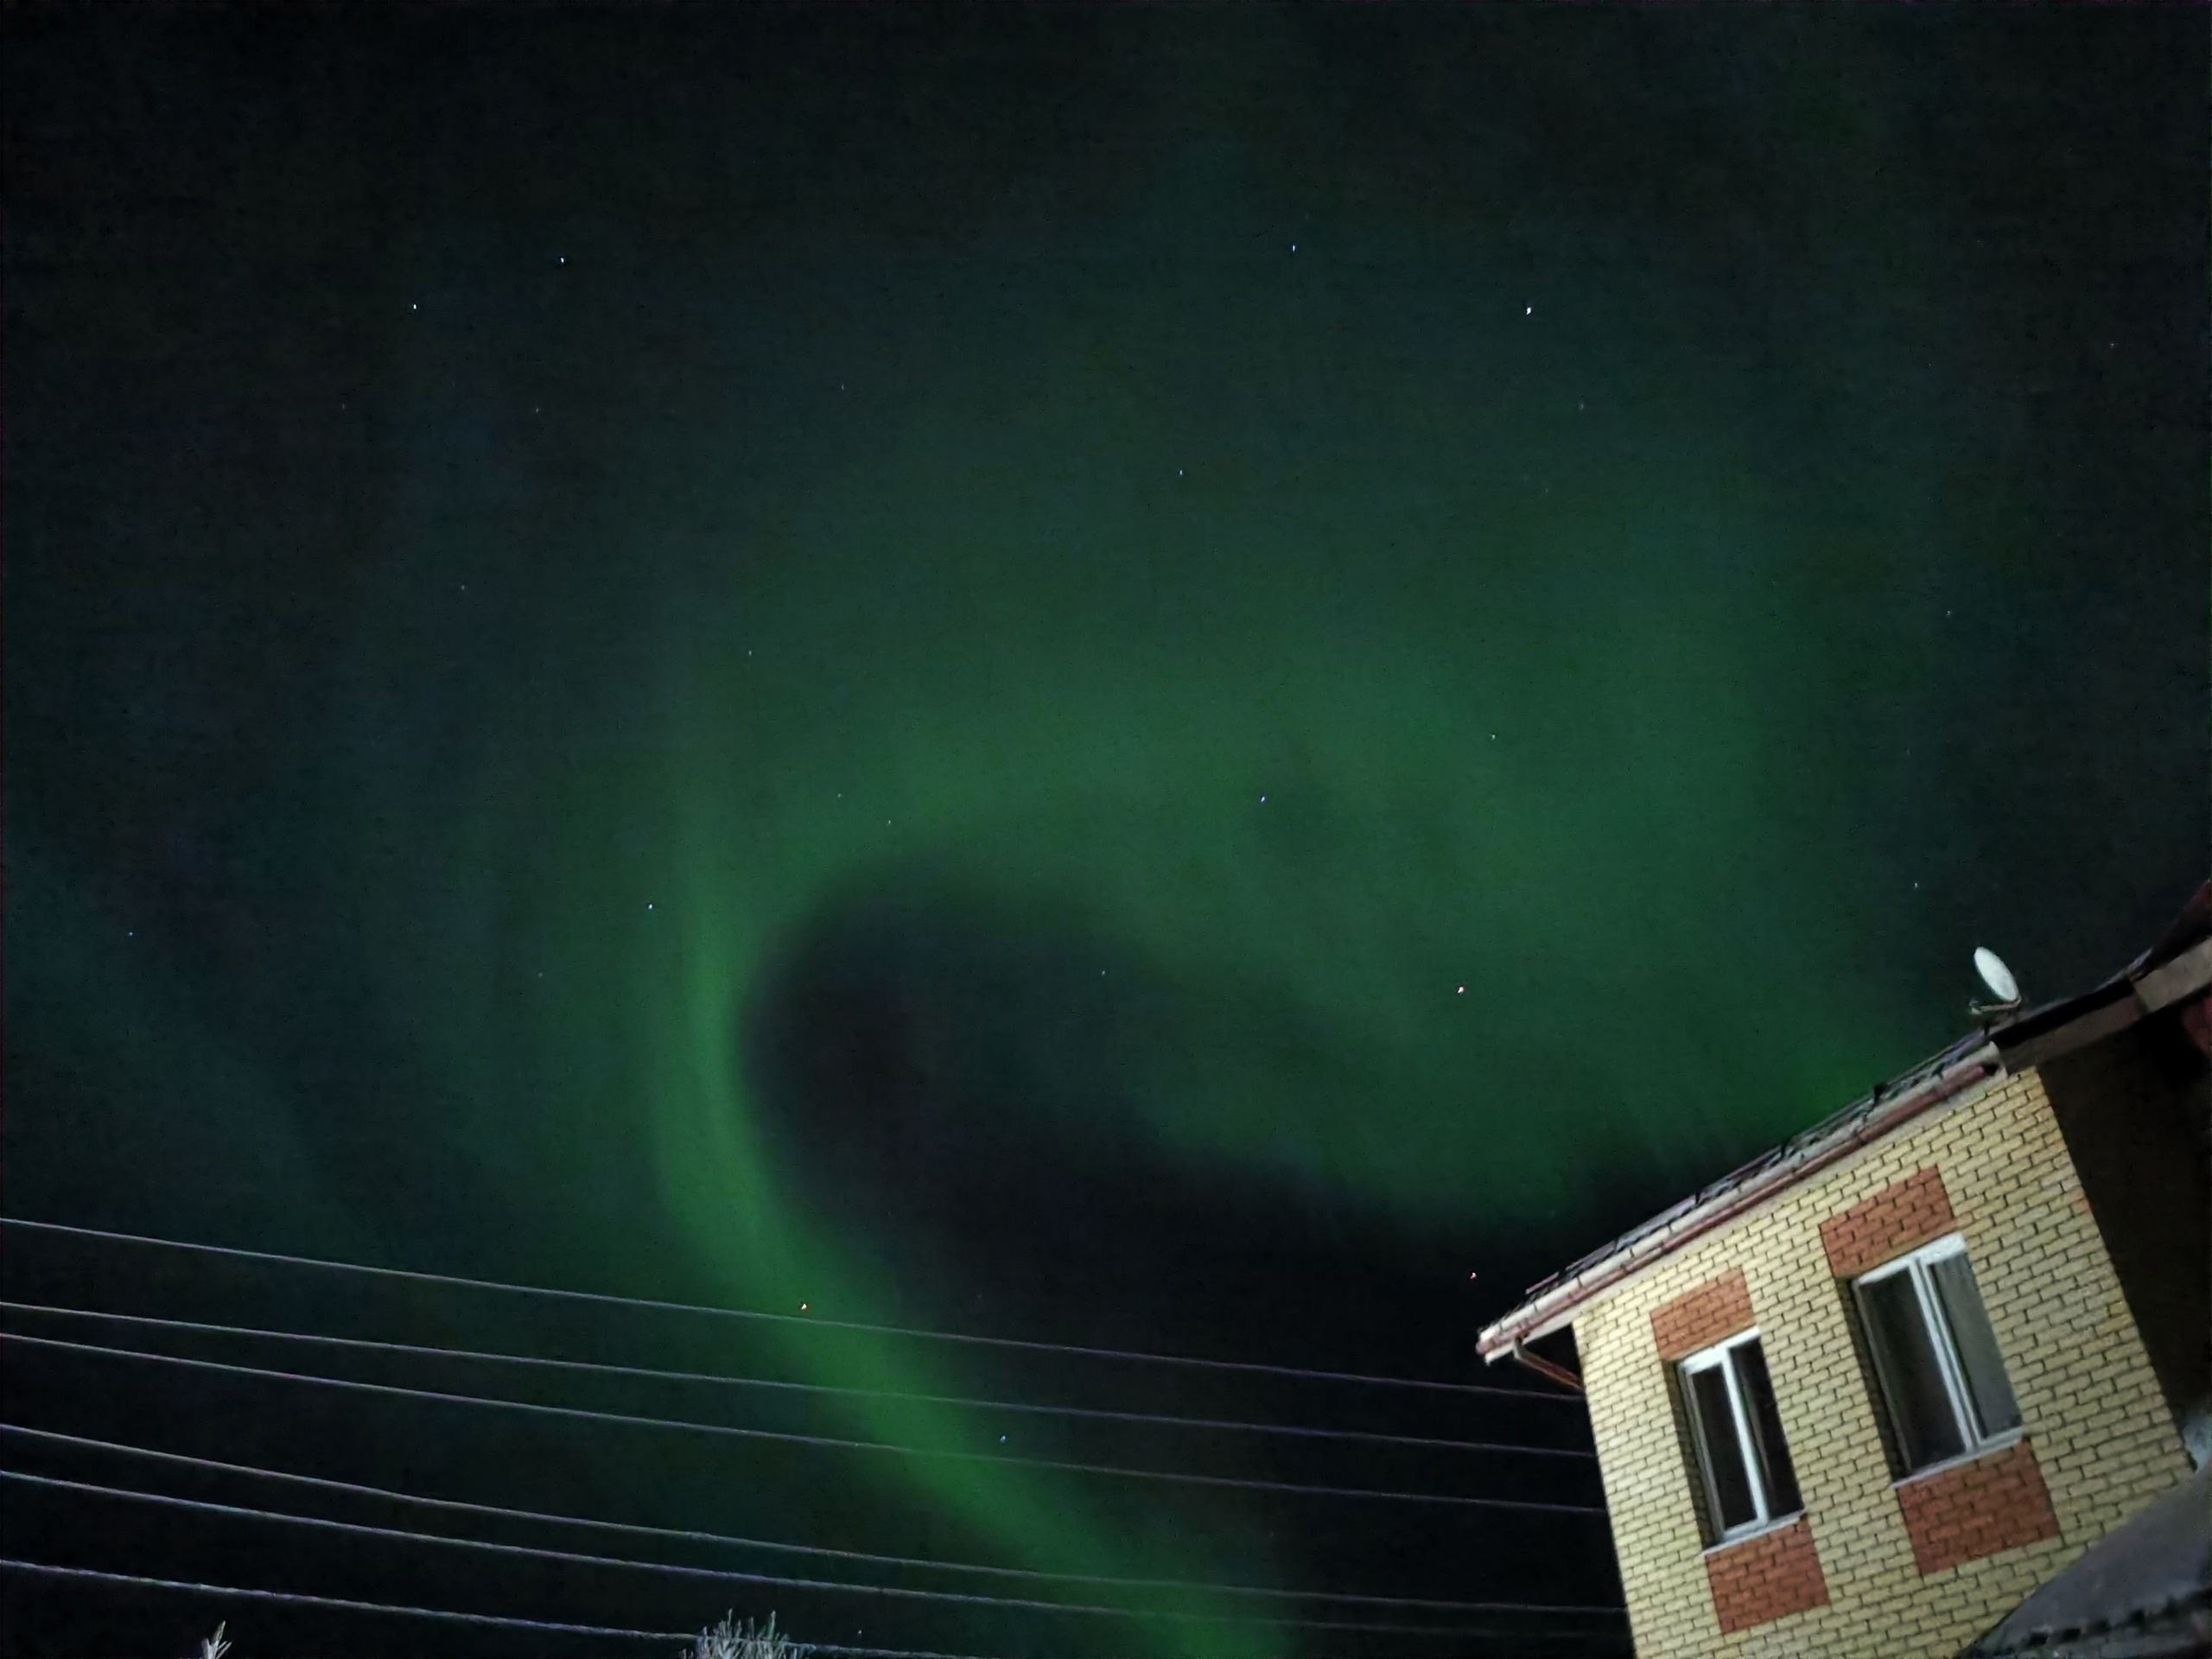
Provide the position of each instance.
(1872, 1390)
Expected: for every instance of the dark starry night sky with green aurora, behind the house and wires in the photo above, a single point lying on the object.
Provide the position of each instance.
(1125, 676)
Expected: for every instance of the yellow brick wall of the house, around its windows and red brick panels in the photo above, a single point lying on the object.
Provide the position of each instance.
(2089, 1401)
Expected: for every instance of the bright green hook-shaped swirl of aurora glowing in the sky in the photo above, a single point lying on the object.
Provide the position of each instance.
(1401, 689)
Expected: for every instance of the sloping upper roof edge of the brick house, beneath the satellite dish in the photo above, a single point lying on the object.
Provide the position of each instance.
(2176, 968)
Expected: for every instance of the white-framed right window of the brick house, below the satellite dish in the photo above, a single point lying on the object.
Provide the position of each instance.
(1937, 1357)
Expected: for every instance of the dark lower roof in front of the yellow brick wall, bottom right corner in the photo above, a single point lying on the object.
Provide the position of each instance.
(2142, 1592)
